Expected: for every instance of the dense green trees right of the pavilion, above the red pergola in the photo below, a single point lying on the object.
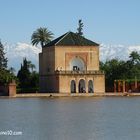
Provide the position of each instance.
(117, 69)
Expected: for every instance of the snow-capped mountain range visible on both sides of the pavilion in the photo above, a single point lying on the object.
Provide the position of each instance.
(16, 53)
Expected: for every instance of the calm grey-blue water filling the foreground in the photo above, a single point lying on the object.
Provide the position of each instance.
(71, 118)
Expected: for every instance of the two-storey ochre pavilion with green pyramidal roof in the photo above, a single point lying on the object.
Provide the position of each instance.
(70, 64)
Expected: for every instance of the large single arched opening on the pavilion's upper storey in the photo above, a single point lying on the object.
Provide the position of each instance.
(77, 64)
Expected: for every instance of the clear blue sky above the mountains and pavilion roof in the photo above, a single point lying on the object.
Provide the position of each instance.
(105, 21)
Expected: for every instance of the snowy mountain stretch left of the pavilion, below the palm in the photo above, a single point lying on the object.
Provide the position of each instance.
(16, 53)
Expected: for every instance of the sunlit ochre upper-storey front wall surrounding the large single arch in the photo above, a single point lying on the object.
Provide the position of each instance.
(64, 54)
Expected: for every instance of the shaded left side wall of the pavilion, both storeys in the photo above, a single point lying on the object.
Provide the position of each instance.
(46, 65)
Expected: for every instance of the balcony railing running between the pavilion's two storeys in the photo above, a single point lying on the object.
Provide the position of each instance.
(80, 72)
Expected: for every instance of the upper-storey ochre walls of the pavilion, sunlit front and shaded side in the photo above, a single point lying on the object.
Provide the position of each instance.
(59, 57)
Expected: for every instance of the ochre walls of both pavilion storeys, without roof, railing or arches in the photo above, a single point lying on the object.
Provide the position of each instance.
(58, 58)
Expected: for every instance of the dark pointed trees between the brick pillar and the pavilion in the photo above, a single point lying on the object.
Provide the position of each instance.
(27, 77)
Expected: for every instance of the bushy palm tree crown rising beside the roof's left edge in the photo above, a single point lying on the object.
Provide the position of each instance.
(42, 36)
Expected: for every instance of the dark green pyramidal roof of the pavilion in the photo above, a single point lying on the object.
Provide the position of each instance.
(71, 39)
